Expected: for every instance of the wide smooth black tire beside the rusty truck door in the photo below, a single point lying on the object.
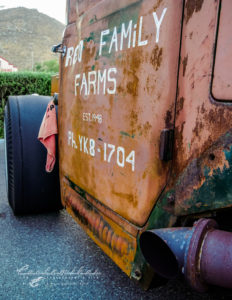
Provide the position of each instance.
(30, 188)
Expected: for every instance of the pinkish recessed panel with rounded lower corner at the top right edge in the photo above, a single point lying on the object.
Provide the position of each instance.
(222, 80)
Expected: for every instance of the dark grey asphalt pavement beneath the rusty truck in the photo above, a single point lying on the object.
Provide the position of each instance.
(49, 257)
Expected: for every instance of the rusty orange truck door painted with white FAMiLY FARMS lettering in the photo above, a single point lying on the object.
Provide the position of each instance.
(117, 95)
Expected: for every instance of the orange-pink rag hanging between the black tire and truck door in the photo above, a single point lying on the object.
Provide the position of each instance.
(47, 132)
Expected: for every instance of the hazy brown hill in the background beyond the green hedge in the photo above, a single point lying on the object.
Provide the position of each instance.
(26, 36)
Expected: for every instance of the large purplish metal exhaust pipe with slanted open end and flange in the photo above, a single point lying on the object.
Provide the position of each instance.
(202, 253)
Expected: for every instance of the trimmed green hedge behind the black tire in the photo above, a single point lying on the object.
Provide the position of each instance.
(21, 83)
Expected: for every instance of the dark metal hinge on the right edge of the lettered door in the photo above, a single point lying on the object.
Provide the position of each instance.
(166, 144)
